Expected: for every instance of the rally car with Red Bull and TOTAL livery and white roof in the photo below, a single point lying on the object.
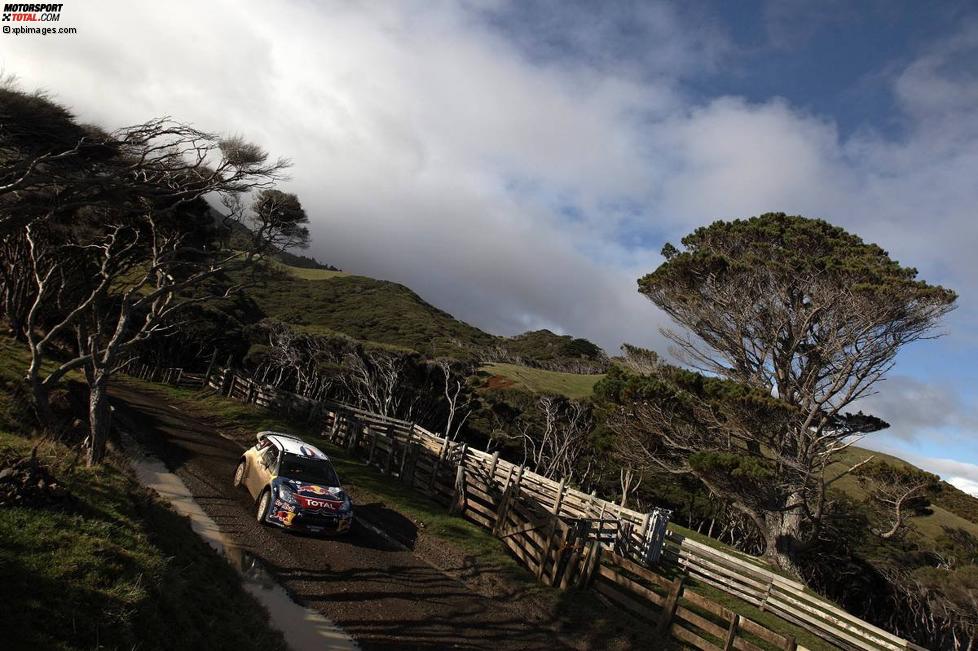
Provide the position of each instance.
(294, 485)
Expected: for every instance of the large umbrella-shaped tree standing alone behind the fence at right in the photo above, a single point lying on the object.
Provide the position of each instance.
(801, 319)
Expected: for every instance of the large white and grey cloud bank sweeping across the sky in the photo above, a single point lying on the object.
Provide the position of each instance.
(431, 150)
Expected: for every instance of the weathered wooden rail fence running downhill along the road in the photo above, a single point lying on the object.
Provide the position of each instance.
(568, 538)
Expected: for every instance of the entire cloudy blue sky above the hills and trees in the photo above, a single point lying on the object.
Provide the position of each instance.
(521, 165)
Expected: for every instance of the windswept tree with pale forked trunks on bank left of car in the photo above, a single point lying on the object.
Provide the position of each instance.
(141, 251)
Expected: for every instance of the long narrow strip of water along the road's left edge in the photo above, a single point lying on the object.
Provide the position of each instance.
(304, 629)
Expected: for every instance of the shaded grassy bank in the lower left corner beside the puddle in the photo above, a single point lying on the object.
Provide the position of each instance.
(114, 569)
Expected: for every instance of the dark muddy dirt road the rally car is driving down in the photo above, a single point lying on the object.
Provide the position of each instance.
(383, 596)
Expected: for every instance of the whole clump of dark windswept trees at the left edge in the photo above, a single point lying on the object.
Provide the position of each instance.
(106, 239)
